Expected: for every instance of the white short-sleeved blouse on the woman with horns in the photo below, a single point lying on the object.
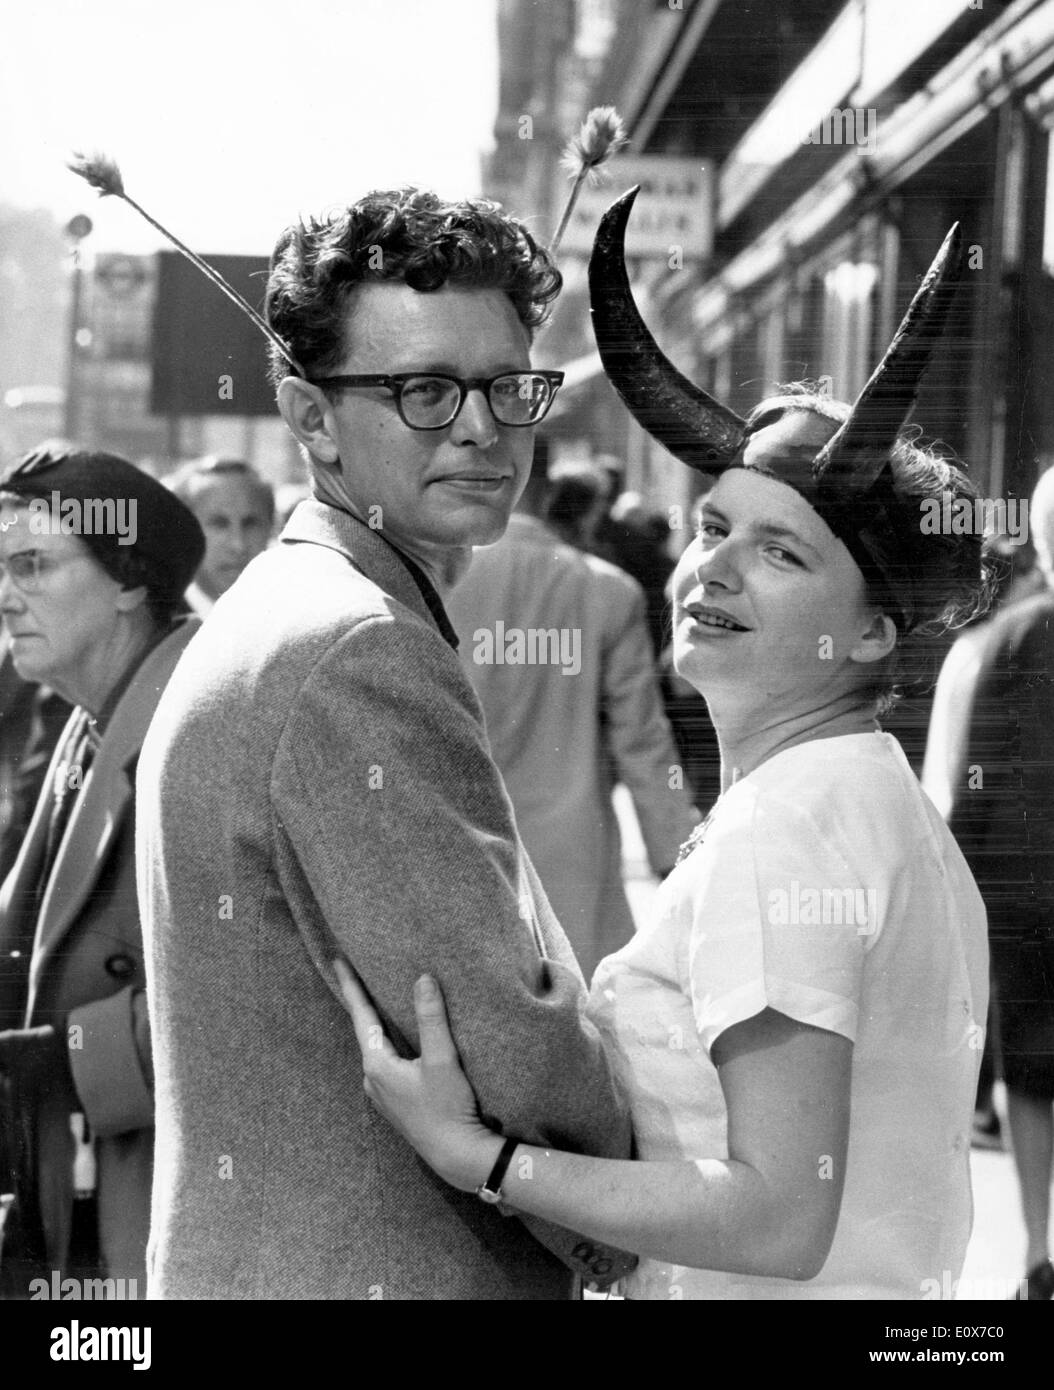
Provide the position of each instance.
(827, 888)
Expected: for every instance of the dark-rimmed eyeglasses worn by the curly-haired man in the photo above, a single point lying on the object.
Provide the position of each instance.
(432, 401)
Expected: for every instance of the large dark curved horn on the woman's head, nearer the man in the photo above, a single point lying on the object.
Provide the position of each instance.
(692, 425)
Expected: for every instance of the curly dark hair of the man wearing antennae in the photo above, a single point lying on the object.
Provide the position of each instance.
(407, 236)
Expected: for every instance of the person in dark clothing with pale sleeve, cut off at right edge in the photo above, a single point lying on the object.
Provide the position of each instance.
(991, 760)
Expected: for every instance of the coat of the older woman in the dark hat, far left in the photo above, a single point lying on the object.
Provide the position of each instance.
(86, 961)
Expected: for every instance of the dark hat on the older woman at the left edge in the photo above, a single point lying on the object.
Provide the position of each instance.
(159, 544)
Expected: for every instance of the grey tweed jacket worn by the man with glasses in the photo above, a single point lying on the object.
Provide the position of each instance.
(318, 780)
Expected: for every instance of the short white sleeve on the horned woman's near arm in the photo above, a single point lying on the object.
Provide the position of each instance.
(779, 918)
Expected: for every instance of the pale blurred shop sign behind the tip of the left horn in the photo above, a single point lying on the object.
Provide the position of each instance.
(672, 218)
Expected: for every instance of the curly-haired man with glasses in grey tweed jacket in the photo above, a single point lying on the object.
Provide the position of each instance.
(319, 783)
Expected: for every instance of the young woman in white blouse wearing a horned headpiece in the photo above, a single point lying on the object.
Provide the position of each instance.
(800, 1029)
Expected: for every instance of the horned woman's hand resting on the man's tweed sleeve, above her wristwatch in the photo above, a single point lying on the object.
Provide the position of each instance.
(429, 1100)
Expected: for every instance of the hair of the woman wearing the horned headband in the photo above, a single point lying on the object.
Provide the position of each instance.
(938, 578)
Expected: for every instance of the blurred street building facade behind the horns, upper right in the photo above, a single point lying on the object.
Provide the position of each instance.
(846, 140)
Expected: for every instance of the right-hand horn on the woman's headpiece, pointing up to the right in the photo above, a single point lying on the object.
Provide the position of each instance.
(889, 398)
